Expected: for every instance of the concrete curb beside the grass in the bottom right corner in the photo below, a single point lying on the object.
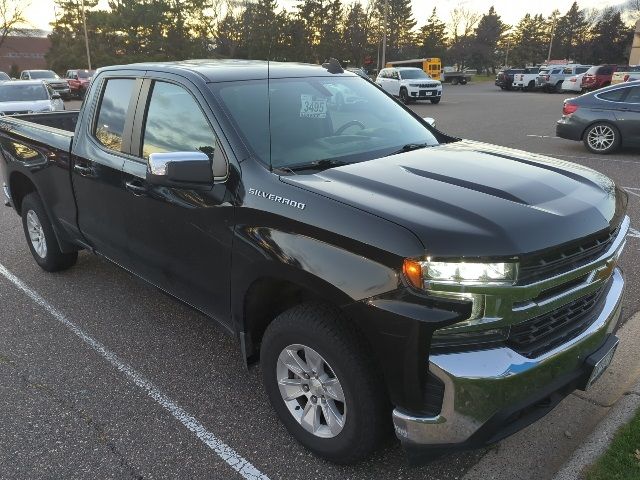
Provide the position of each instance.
(600, 439)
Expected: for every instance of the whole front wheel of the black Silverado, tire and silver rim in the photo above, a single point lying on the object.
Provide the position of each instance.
(320, 380)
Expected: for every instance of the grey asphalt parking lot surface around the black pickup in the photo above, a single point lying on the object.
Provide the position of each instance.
(103, 376)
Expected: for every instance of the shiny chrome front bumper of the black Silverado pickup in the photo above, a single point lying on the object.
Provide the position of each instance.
(480, 386)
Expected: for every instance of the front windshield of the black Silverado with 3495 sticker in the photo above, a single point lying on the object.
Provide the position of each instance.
(327, 121)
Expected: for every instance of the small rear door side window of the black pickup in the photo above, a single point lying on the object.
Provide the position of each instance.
(112, 114)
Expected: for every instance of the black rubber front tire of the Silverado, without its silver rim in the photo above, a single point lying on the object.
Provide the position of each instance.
(367, 410)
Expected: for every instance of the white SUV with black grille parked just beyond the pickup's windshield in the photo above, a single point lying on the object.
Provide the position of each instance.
(410, 84)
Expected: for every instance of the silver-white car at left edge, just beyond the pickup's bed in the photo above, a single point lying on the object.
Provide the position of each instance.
(28, 97)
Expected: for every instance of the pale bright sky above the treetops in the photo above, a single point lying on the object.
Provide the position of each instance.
(41, 12)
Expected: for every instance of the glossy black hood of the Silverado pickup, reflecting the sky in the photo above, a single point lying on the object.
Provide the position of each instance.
(470, 199)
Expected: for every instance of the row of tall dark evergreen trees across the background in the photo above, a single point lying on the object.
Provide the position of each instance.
(315, 30)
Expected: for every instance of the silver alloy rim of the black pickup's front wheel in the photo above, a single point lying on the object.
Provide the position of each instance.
(311, 391)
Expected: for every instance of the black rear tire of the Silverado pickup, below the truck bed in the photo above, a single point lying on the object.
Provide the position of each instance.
(53, 259)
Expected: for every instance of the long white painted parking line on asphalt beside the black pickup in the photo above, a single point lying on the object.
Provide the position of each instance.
(225, 452)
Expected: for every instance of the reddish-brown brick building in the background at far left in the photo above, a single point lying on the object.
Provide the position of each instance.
(26, 51)
